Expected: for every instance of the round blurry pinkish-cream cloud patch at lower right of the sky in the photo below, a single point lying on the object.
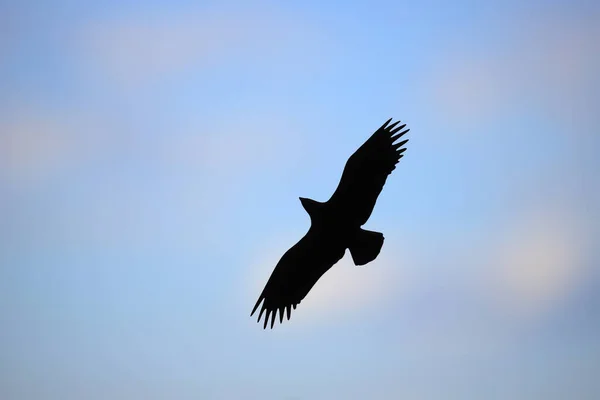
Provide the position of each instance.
(538, 261)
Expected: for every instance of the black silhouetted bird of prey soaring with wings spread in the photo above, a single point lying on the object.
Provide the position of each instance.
(335, 225)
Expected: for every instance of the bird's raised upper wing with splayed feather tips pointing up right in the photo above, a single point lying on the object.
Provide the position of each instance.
(366, 171)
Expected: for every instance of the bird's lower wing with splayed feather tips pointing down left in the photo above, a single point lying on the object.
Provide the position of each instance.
(295, 274)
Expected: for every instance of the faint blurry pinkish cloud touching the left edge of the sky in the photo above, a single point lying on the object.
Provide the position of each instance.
(38, 144)
